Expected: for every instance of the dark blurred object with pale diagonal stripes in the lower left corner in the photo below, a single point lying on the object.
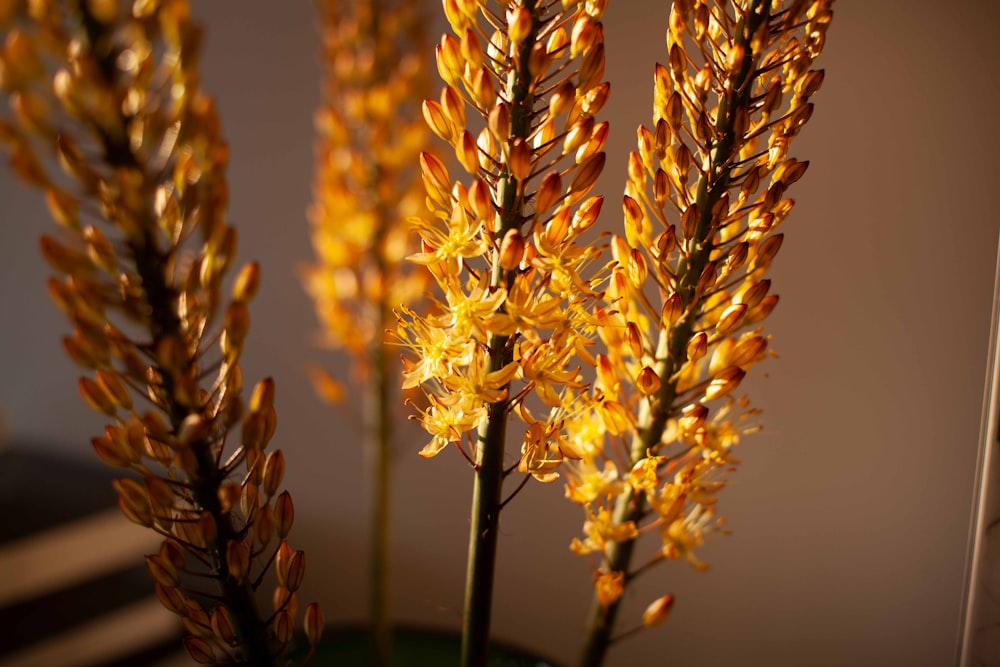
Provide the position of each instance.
(74, 591)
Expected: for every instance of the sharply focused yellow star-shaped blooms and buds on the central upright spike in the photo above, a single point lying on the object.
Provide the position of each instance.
(523, 87)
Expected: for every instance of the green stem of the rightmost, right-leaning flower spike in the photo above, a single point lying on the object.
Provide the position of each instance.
(672, 346)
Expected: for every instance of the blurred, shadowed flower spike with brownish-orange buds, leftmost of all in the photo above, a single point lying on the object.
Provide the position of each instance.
(138, 186)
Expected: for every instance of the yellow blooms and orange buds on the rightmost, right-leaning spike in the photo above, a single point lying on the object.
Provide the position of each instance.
(704, 200)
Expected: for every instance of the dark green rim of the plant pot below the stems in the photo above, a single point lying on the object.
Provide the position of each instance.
(412, 647)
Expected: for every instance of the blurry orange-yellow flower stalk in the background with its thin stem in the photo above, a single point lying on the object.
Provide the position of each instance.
(368, 183)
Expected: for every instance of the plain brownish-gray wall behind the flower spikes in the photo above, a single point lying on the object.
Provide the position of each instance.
(850, 513)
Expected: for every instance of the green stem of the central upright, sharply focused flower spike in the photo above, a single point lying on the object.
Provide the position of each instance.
(488, 484)
